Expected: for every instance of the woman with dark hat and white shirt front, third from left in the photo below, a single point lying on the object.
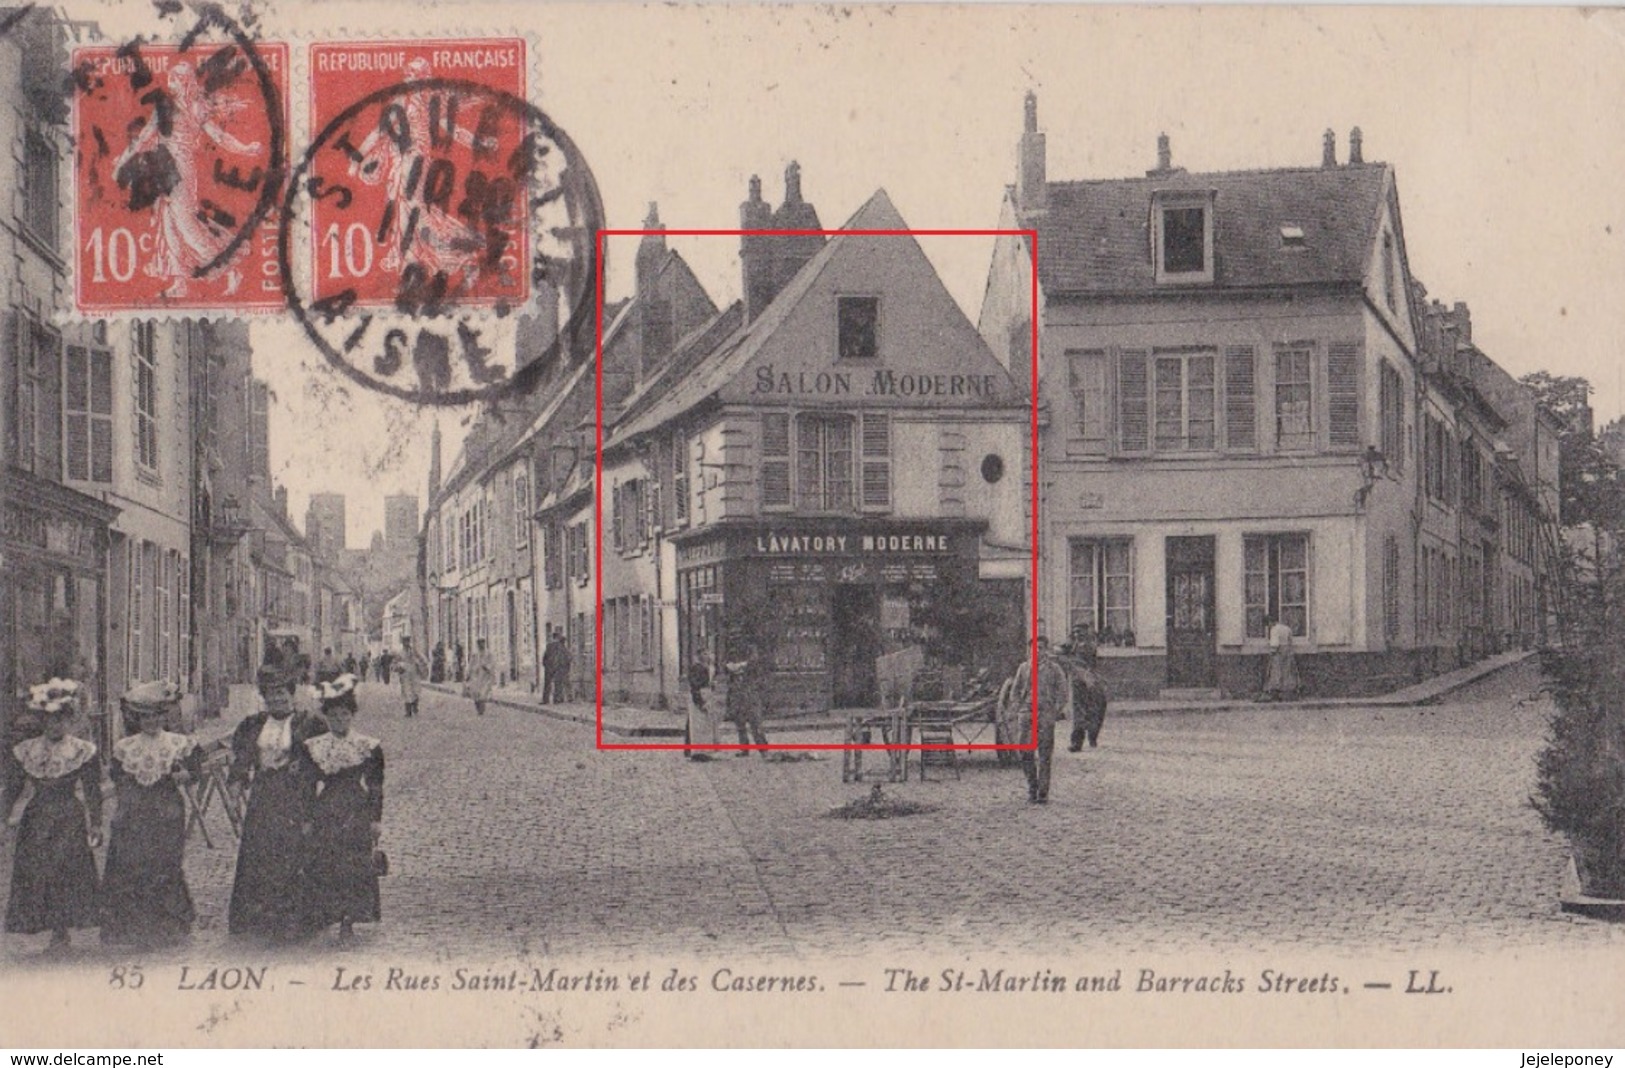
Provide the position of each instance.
(271, 895)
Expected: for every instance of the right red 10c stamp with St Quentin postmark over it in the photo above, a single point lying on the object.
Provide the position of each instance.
(414, 206)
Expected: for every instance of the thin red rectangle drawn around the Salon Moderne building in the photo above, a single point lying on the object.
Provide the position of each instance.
(599, 479)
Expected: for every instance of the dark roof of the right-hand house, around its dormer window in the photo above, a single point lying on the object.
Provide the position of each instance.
(1096, 237)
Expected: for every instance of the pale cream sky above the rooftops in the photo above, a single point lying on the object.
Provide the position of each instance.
(1502, 126)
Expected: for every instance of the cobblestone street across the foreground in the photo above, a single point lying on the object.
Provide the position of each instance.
(1374, 830)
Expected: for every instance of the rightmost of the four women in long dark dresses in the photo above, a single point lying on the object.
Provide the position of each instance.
(347, 815)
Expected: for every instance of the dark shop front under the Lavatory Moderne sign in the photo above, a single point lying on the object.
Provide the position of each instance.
(823, 599)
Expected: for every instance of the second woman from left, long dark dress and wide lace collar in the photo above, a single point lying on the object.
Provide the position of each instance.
(145, 898)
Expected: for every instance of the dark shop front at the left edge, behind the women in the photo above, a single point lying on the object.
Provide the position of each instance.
(54, 597)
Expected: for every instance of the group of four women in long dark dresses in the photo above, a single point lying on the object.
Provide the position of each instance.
(308, 857)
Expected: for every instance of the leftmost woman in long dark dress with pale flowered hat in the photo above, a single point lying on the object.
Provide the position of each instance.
(56, 809)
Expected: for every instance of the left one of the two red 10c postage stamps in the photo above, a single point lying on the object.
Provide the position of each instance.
(181, 158)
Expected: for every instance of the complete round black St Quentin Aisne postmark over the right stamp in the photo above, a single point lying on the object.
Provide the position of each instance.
(438, 211)
